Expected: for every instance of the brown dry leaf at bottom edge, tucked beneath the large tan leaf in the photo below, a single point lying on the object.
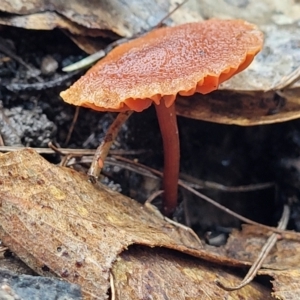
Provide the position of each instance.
(141, 273)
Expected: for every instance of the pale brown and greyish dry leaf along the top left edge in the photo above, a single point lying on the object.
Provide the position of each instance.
(124, 18)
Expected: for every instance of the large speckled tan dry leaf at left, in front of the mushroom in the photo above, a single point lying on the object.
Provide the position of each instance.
(51, 216)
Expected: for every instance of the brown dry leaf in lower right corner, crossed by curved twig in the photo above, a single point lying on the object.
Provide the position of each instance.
(282, 263)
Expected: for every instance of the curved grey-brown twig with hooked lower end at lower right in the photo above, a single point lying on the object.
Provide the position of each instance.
(263, 254)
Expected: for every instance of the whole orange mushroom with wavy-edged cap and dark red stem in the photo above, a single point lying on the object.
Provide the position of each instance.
(184, 59)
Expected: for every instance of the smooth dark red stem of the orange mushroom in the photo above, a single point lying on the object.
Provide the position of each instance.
(168, 126)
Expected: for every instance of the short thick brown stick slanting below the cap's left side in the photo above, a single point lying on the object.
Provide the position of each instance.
(103, 149)
